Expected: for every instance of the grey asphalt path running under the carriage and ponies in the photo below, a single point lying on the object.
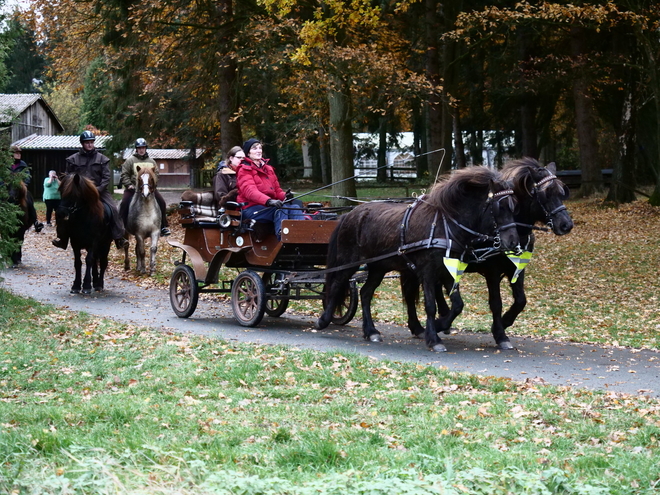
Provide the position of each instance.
(47, 273)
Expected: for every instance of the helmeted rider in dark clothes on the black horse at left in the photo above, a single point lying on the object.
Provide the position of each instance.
(89, 163)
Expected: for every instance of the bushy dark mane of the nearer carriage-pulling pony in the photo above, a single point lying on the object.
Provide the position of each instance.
(450, 192)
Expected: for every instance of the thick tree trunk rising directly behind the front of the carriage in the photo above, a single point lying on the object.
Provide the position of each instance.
(341, 142)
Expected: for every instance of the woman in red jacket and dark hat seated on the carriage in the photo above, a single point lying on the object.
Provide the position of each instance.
(259, 188)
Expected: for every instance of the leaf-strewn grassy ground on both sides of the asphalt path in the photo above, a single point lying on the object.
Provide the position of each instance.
(90, 406)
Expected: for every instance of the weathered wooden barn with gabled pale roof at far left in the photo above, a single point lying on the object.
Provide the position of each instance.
(22, 115)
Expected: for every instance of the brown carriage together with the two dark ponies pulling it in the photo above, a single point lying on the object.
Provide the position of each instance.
(477, 219)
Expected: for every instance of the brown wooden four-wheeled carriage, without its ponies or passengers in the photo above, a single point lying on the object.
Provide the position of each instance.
(271, 272)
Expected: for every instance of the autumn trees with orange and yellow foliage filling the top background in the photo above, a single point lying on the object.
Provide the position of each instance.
(568, 81)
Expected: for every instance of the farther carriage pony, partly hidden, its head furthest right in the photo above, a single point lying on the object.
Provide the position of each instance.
(540, 196)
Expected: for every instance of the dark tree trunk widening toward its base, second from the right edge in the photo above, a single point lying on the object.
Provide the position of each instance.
(623, 176)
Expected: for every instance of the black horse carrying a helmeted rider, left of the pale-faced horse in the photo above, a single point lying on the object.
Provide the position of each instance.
(82, 216)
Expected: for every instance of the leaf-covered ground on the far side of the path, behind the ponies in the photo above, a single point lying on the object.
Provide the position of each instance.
(598, 284)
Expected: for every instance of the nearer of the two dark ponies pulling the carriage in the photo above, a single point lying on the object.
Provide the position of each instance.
(472, 204)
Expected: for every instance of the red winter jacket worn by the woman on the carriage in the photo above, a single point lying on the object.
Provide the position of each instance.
(256, 185)
